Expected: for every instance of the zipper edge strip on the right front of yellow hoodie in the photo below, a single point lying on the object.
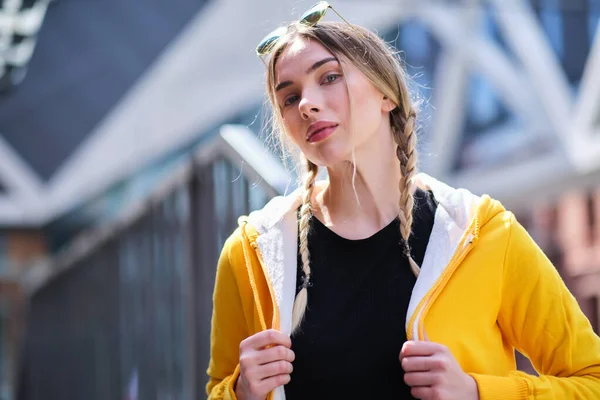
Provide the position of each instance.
(465, 246)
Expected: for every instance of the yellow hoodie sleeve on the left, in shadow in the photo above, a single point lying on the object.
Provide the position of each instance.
(229, 326)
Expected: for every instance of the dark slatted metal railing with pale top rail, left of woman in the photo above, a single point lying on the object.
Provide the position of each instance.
(125, 311)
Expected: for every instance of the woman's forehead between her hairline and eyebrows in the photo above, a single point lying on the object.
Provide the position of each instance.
(298, 57)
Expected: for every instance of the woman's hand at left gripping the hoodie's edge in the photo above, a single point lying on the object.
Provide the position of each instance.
(265, 363)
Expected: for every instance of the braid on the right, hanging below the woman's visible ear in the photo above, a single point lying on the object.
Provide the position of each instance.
(406, 138)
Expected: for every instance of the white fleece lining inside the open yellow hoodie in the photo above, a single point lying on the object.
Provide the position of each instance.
(278, 243)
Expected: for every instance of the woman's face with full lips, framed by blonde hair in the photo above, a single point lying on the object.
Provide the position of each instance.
(312, 94)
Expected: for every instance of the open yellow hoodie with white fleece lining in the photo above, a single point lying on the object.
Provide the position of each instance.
(485, 289)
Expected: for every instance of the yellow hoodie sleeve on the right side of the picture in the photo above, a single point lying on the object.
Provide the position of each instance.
(542, 319)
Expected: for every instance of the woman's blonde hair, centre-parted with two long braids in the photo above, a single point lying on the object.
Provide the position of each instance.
(380, 64)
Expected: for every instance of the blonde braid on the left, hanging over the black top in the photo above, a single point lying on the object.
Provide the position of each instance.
(304, 224)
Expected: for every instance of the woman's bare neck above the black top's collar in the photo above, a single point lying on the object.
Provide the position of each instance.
(370, 200)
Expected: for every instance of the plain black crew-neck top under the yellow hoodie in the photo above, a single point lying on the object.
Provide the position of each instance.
(349, 343)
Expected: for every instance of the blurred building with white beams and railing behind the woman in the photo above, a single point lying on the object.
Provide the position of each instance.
(118, 154)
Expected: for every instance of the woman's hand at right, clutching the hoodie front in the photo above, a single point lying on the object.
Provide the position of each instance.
(433, 373)
